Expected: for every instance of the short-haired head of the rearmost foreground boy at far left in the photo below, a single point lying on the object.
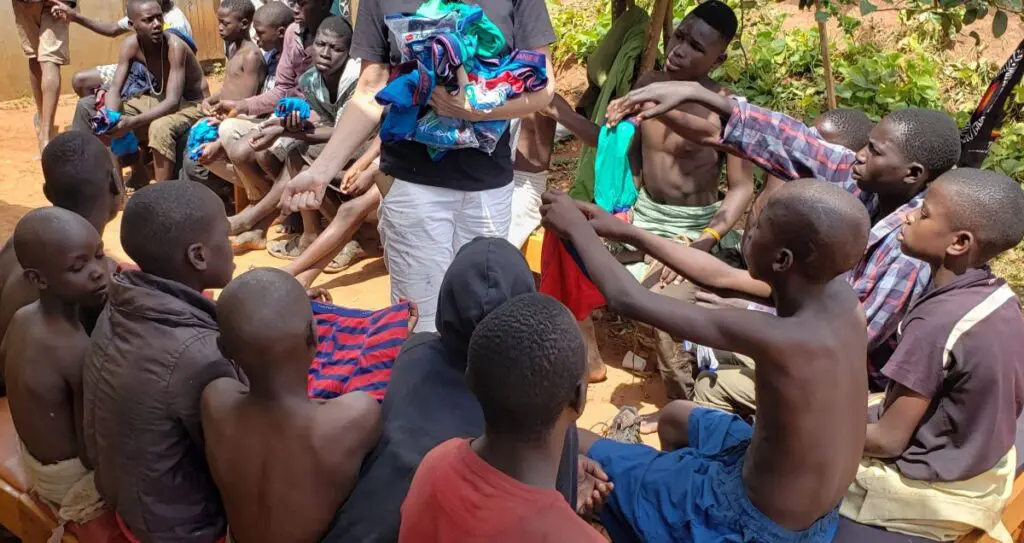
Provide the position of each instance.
(78, 172)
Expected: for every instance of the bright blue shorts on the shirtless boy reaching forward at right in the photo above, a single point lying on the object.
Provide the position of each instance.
(693, 494)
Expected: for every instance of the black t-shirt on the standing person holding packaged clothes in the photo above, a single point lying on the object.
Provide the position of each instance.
(526, 25)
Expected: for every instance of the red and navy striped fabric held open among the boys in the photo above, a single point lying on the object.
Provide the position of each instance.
(356, 350)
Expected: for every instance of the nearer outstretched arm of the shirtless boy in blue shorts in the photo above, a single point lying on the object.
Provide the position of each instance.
(737, 330)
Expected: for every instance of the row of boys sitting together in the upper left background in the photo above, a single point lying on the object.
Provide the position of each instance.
(274, 53)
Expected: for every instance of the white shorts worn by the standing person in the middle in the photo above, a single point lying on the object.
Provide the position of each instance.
(422, 228)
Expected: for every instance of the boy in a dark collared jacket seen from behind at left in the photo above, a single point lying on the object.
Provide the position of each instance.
(154, 351)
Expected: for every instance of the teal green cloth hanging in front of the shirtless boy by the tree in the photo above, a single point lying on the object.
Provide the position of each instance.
(614, 187)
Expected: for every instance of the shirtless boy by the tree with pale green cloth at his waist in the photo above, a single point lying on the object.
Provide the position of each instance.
(680, 179)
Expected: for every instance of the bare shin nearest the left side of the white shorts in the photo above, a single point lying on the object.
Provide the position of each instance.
(351, 216)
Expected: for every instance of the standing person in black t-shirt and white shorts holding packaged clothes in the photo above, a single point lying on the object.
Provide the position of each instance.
(434, 208)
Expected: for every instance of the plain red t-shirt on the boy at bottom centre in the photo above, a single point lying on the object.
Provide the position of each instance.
(456, 496)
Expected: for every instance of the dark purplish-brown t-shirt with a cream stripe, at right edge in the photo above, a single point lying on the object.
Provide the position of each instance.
(961, 347)
